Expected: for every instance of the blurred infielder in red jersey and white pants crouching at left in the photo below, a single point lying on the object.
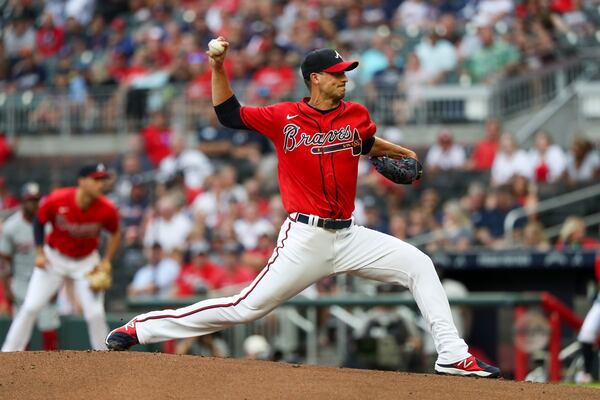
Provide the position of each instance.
(77, 215)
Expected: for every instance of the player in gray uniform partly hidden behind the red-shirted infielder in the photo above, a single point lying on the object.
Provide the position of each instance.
(17, 258)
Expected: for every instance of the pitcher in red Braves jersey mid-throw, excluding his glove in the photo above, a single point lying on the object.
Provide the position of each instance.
(318, 142)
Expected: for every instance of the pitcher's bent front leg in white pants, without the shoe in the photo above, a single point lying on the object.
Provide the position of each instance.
(374, 255)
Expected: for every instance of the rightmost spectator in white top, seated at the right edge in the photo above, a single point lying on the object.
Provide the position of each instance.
(583, 162)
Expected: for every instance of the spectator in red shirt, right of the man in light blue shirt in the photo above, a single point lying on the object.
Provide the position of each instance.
(201, 274)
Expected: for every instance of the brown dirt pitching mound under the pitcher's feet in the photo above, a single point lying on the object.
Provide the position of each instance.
(103, 375)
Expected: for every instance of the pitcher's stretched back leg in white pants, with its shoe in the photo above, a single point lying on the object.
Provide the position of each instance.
(300, 259)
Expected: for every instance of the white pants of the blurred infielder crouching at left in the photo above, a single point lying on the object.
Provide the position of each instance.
(44, 284)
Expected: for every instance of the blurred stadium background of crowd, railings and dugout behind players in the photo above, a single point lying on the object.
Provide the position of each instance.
(500, 99)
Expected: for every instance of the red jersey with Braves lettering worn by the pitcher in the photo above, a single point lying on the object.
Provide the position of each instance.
(318, 153)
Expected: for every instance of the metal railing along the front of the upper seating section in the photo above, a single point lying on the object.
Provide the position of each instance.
(115, 109)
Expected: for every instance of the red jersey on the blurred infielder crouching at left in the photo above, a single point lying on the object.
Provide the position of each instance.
(76, 232)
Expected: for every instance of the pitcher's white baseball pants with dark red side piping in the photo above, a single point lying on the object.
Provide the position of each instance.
(305, 254)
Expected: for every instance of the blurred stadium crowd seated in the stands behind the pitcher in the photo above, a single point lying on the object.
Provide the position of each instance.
(203, 218)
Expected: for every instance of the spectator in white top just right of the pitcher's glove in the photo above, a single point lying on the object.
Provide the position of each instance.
(445, 155)
